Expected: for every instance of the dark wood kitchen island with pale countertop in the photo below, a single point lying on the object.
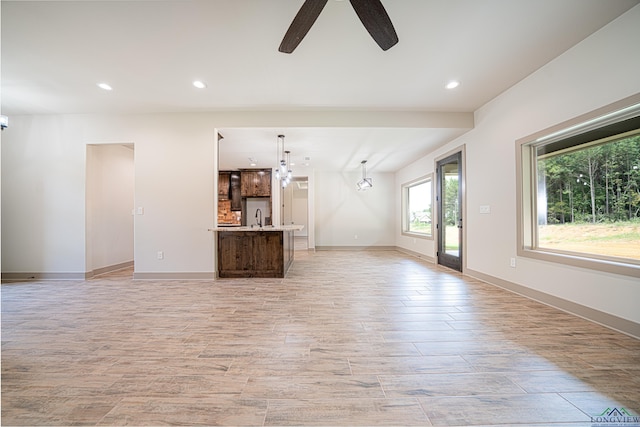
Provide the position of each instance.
(255, 251)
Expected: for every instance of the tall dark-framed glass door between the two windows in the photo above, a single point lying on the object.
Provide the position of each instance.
(449, 199)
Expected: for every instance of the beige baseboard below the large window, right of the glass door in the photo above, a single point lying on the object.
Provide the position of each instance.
(610, 321)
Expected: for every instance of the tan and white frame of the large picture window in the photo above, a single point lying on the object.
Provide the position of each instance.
(526, 189)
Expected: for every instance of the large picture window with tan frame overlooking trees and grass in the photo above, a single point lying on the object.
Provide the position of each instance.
(580, 192)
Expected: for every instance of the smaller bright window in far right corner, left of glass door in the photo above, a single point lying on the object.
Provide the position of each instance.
(416, 208)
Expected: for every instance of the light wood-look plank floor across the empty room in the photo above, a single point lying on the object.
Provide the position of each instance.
(348, 338)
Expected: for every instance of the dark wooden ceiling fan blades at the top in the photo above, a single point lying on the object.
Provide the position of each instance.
(371, 12)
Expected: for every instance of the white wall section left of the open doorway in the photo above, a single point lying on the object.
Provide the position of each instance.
(43, 203)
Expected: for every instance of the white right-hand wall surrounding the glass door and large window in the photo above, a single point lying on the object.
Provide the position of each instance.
(600, 70)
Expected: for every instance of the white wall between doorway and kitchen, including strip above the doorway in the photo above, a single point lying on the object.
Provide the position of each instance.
(175, 166)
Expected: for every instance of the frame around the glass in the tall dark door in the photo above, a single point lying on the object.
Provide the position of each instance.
(460, 264)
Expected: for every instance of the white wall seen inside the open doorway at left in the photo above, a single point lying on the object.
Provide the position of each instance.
(110, 197)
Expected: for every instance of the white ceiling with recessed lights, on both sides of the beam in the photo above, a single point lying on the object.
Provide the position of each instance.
(54, 53)
